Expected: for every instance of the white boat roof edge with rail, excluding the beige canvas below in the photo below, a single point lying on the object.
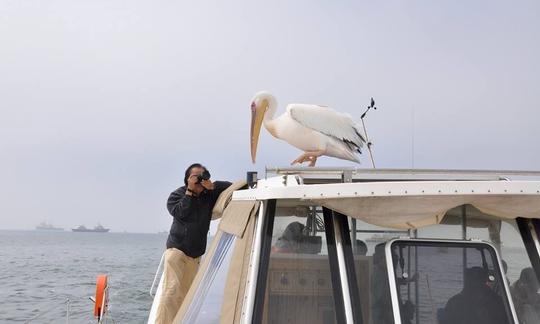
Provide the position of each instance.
(317, 183)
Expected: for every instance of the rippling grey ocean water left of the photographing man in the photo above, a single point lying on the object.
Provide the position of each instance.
(40, 271)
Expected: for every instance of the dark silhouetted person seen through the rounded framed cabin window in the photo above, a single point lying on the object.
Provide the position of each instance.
(477, 303)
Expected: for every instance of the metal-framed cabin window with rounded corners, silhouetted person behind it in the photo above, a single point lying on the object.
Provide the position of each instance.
(448, 283)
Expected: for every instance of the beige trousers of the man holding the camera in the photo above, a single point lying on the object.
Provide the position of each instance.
(178, 274)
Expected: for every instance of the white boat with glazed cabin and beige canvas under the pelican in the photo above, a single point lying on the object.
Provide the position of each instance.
(455, 221)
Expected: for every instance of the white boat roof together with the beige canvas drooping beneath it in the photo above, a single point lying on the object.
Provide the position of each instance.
(413, 201)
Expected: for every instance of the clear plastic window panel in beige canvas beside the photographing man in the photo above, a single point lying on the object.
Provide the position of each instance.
(210, 291)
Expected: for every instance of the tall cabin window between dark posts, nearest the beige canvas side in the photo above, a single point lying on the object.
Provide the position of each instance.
(299, 285)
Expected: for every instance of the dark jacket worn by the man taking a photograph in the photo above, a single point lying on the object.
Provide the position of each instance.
(191, 218)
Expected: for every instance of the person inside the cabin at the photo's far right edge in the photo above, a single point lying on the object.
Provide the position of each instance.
(526, 298)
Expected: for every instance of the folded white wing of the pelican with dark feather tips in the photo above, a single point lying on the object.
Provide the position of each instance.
(329, 122)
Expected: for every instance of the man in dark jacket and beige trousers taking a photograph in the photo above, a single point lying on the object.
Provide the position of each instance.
(191, 207)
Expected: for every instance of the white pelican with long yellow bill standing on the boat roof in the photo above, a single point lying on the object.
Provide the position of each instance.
(316, 130)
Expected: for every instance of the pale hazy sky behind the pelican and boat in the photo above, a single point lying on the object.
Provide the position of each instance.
(103, 104)
